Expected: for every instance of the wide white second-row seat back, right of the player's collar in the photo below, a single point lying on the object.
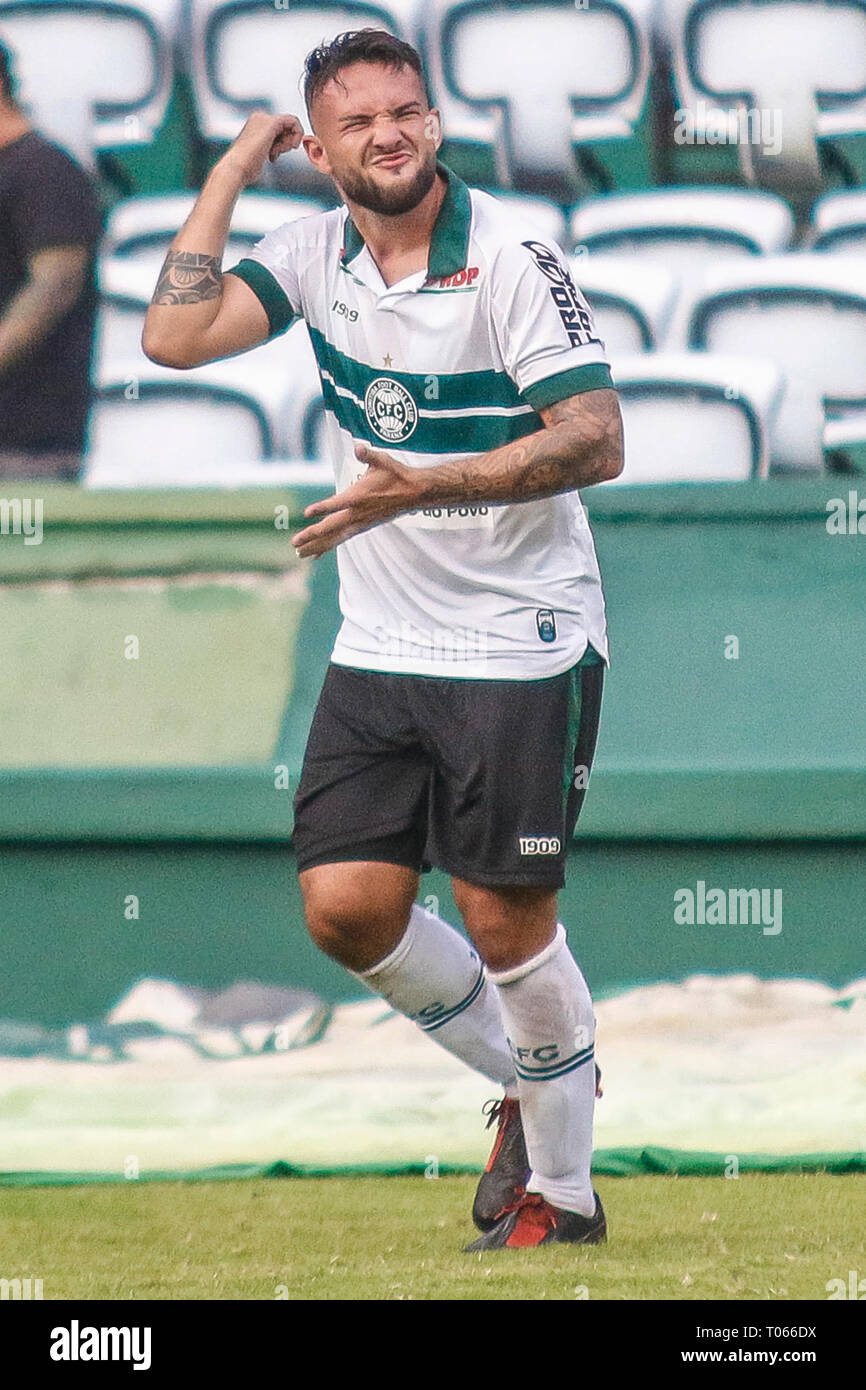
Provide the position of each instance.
(683, 226)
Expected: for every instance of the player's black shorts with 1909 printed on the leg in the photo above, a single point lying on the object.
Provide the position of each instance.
(482, 779)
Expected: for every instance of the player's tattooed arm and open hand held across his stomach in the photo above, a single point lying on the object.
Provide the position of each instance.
(582, 444)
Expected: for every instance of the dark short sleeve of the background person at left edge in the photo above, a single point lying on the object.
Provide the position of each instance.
(55, 205)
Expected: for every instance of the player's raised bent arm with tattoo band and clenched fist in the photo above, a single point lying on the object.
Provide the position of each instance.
(195, 315)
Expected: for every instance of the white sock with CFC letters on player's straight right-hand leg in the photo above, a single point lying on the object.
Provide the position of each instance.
(548, 1015)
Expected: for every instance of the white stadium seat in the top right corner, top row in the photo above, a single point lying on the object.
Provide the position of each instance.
(749, 73)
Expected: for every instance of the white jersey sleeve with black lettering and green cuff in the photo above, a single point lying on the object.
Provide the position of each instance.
(544, 326)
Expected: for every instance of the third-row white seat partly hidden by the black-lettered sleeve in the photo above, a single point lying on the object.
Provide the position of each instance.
(633, 304)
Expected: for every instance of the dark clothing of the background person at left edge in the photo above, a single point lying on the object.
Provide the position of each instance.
(47, 201)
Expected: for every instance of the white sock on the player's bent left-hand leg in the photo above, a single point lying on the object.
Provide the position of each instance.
(437, 979)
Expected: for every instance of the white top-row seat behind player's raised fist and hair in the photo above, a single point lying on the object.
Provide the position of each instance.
(248, 55)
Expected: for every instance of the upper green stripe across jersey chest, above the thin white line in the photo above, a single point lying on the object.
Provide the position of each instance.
(430, 391)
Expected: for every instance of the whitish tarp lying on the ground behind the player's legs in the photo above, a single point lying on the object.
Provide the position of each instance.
(732, 1065)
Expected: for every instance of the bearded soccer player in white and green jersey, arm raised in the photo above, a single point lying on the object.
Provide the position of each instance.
(468, 400)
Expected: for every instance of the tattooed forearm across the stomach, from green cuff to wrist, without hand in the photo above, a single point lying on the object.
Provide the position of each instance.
(582, 445)
